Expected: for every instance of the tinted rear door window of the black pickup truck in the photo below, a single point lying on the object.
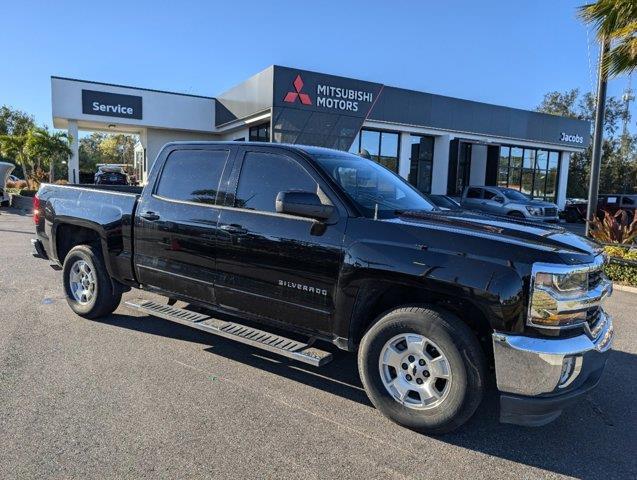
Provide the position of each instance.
(192, 175)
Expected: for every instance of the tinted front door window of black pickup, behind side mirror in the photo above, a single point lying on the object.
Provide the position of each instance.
(264, 175)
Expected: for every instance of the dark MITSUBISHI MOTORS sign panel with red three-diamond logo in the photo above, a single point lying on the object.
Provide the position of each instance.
(321, 92)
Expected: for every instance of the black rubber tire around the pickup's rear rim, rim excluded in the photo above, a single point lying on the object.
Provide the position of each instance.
(106, 297)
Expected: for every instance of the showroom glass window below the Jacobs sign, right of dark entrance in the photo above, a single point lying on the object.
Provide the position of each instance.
(530, 170)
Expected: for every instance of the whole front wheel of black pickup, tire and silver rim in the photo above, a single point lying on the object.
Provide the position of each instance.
(423, 368)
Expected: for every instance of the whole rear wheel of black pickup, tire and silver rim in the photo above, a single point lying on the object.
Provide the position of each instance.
(88, 287)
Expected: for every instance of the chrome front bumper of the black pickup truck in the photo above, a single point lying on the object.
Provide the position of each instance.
(532, 366)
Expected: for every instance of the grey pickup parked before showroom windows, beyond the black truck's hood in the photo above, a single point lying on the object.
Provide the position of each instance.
(508, 202)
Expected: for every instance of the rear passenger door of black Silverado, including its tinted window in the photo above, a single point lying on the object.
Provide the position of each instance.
(176, 221)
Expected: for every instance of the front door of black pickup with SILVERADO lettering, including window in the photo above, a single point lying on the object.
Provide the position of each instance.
(273, 265)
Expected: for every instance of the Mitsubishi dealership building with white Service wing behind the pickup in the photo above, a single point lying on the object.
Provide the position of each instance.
(439, 144)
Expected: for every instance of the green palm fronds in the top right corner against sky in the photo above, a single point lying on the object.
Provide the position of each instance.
(616, 22)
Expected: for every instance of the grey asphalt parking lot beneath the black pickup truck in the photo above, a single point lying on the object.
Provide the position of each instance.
(132, 396)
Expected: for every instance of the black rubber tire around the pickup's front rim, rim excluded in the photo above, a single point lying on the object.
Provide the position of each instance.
(462, 350)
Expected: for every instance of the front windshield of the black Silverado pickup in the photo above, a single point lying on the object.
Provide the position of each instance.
(374, 189)
